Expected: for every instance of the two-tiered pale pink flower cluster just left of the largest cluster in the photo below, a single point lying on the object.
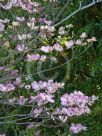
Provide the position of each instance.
(49, 87)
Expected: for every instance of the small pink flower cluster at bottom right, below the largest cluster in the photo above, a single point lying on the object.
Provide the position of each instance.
(76, 128)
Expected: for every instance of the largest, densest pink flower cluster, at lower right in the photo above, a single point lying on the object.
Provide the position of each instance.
(75, 104)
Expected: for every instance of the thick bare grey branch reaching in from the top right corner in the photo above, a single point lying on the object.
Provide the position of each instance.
(78, 10)
